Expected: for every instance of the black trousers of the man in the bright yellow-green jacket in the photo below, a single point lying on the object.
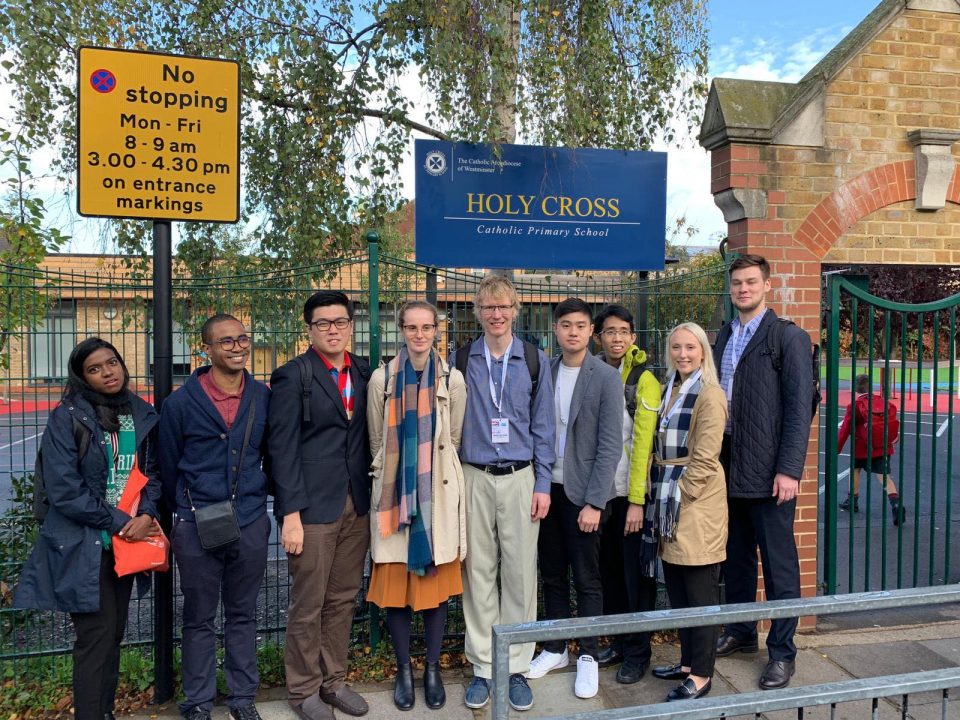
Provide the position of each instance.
(624, 588)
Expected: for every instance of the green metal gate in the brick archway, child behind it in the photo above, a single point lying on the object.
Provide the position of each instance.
(909, 354)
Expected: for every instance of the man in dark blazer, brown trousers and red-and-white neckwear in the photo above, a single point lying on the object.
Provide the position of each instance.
(320, 458)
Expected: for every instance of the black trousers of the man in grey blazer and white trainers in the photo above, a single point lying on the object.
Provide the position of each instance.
(561, 547)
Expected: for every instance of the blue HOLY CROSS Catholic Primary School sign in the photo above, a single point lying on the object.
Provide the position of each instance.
(539, 207)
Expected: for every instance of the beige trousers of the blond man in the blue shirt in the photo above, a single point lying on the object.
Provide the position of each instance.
(502, 539)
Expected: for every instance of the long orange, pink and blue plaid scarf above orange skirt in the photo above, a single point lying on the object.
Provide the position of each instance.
(407, 499)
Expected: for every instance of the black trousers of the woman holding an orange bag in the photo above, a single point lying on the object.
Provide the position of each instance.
(96, 651)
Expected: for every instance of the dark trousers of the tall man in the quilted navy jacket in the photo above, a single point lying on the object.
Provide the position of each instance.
(753, 523)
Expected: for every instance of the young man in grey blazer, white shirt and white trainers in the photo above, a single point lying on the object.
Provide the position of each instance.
(589, 412)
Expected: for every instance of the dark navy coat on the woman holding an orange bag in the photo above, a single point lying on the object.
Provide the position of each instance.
(63, 571)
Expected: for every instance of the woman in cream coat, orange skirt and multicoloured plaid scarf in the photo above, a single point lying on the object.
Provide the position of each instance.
(415, 406)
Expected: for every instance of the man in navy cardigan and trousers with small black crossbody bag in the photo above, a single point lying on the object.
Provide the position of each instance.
(211, 440)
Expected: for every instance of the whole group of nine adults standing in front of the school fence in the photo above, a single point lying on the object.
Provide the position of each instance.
(461, 475)
